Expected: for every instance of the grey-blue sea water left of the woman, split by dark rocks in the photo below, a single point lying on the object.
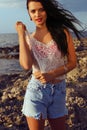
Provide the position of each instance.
(9, 66)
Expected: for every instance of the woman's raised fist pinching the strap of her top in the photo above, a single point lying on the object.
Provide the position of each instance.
(20, 28)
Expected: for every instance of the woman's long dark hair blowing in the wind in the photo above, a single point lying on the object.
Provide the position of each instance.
(59, 19)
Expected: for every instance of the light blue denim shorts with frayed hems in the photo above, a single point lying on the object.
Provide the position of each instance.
(45, 100)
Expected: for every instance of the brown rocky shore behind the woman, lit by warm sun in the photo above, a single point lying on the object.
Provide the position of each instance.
(13, 86)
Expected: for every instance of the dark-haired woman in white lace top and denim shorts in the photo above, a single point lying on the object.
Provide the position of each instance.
(44, 51)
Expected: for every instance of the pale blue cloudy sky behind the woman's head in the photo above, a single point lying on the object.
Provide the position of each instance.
(15, 10)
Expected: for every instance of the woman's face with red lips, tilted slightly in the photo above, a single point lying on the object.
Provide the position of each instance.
(37, 13)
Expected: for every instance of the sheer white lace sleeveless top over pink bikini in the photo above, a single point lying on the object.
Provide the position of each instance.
(46, 57)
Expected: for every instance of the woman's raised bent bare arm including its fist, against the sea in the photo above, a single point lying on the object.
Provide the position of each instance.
(25, 57)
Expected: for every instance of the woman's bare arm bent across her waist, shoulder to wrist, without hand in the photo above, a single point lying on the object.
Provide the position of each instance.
(71, 58)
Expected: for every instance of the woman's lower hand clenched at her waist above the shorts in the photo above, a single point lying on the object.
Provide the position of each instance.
(44, 77)
